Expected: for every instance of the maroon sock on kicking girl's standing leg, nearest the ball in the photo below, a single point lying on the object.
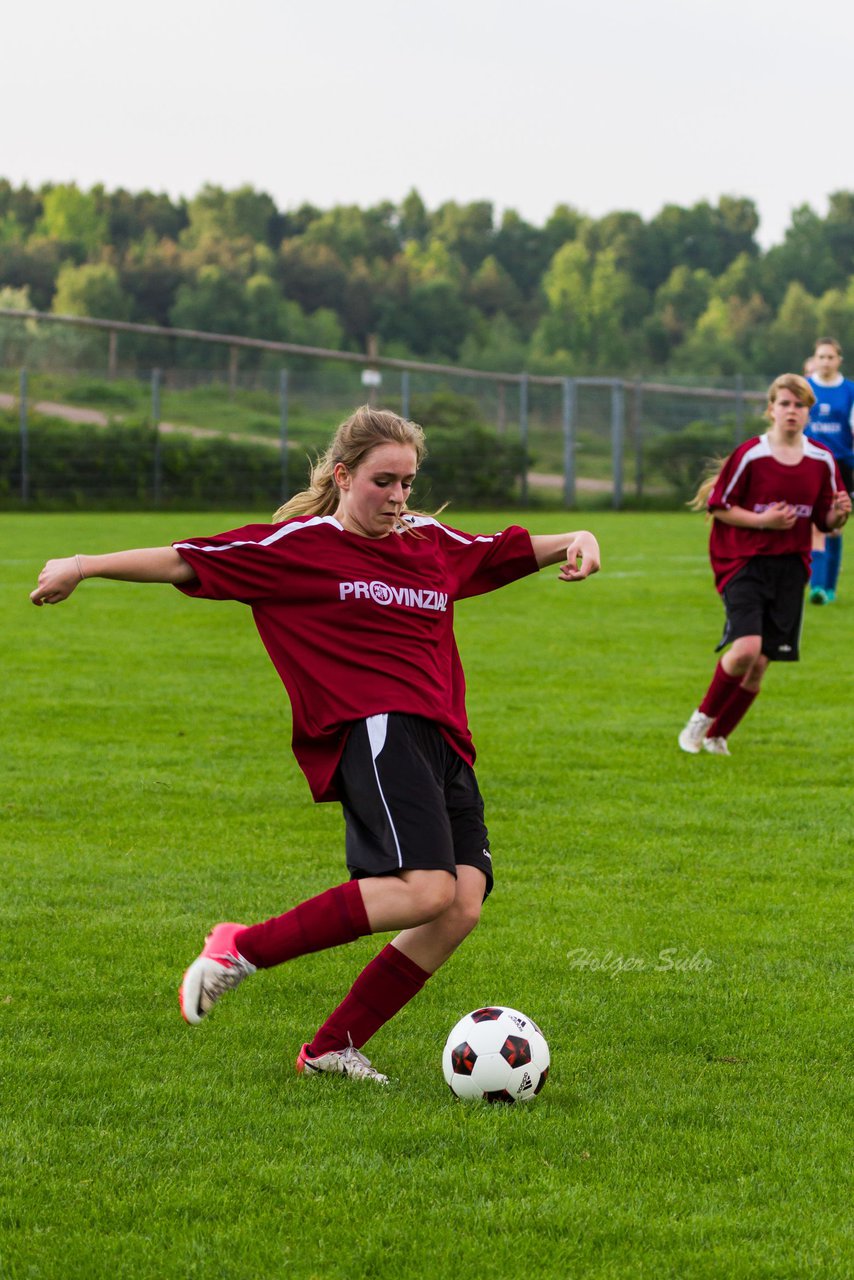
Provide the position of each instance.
(380, 993)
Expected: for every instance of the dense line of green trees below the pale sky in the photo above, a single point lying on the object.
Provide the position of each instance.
(687, 292)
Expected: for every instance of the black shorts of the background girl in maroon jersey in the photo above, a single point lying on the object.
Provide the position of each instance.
(766, 598)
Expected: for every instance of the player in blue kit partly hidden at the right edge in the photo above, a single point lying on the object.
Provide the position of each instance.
(830, 423)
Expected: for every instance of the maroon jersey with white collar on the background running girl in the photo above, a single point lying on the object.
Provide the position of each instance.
(753, 479)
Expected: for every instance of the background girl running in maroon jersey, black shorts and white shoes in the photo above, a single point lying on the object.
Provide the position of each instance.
(762, 504)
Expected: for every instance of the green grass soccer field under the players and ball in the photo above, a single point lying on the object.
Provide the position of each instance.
(695, 1122)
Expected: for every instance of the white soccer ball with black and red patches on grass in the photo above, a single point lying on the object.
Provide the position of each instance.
(496, 1054)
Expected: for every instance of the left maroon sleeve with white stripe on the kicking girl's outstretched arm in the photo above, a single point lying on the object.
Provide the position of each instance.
(240, 565)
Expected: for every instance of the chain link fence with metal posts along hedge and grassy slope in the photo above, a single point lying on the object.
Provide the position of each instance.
(220, 420)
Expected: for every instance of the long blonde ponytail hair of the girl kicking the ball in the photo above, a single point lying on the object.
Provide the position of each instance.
(353, 442)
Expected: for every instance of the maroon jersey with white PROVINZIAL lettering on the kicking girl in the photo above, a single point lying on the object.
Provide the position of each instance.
(358, 627)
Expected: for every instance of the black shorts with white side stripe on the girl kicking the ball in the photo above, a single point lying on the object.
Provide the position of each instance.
(410, 802)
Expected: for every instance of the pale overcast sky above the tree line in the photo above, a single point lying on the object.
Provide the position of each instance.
(618, 106)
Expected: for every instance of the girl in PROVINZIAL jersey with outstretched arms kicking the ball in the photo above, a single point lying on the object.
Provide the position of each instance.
(354, 598)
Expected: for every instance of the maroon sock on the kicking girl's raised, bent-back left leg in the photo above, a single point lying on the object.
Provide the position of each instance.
(326, 921)
